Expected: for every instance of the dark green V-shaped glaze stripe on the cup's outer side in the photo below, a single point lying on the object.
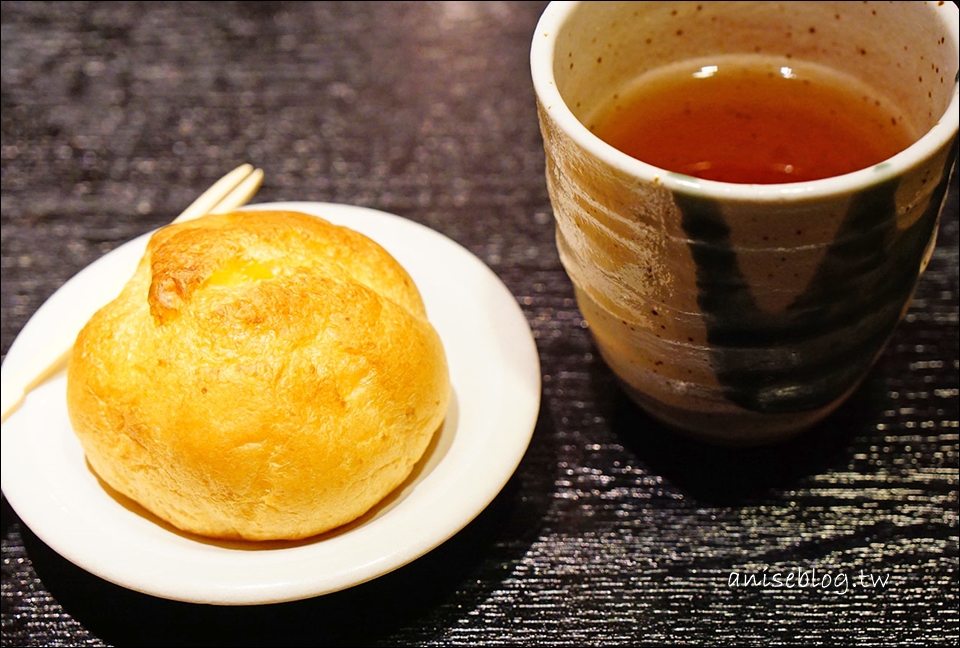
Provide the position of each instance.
(803, 358)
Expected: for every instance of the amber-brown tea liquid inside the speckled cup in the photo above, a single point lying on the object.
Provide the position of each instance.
(749, 119)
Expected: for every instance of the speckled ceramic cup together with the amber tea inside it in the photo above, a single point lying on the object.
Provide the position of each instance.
(745, 193)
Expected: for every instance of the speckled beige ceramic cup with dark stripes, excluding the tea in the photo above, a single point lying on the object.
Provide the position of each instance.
(743, 312)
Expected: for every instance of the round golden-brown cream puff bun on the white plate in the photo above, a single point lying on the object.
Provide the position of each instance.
(263, 375)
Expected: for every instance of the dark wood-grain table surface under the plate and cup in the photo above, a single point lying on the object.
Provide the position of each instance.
(612, 531)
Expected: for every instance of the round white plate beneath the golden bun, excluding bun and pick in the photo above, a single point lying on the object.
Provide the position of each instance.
(495, 374)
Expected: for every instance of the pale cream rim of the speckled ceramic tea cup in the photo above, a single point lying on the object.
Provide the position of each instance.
(552, 102)
